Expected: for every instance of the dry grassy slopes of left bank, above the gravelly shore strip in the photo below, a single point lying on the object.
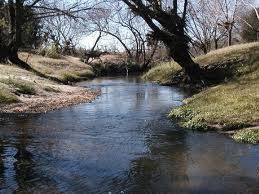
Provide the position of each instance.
(15, 82)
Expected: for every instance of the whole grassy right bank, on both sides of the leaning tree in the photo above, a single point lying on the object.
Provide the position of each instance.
(232, 105)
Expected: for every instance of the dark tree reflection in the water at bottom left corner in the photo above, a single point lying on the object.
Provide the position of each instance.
(18, 166)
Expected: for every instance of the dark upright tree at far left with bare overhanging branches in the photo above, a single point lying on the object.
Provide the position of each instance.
(17, 17)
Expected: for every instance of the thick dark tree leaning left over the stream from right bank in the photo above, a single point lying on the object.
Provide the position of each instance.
(169, 26)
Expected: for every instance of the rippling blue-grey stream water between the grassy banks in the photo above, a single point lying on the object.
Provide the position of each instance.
(121, 143)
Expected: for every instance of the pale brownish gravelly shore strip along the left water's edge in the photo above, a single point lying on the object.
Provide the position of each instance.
(48, 101)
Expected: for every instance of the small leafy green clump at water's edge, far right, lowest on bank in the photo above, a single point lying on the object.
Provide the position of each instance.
(250, 135)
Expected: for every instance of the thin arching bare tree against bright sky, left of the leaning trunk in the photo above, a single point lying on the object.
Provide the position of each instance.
(131, 31)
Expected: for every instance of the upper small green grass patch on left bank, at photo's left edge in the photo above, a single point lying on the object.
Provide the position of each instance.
(21, 86)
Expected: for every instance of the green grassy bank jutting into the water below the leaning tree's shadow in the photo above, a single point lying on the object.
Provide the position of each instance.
(227, 106)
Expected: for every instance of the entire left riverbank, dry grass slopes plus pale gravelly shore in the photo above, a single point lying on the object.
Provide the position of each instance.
(22, 91)
